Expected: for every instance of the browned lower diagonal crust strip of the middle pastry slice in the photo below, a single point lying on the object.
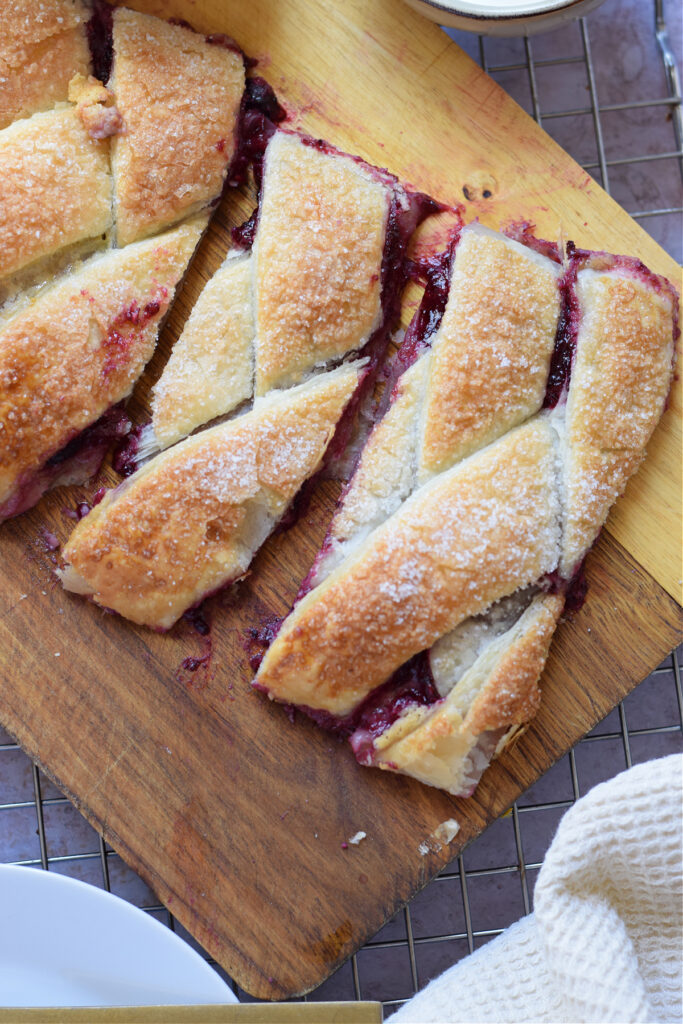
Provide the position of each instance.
(190, 522)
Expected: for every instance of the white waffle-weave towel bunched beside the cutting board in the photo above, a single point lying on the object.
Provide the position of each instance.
(606, 942)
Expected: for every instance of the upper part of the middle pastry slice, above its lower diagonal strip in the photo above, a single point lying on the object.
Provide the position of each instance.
(322, 281)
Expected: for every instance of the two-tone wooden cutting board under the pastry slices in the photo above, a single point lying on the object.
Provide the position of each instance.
(235, 817)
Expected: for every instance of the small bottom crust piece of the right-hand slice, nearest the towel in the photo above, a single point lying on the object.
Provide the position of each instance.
(448, 744)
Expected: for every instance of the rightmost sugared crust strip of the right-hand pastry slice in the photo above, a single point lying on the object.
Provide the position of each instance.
(620, 382)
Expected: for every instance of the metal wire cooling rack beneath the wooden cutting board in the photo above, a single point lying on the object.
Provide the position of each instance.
(609, 91)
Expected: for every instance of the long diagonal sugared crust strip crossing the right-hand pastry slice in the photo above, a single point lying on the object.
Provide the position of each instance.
(473, 536)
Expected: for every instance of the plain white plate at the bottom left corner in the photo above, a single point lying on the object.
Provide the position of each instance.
(66, 944)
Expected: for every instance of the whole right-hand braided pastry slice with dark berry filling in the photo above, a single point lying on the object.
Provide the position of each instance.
(424, 626)
